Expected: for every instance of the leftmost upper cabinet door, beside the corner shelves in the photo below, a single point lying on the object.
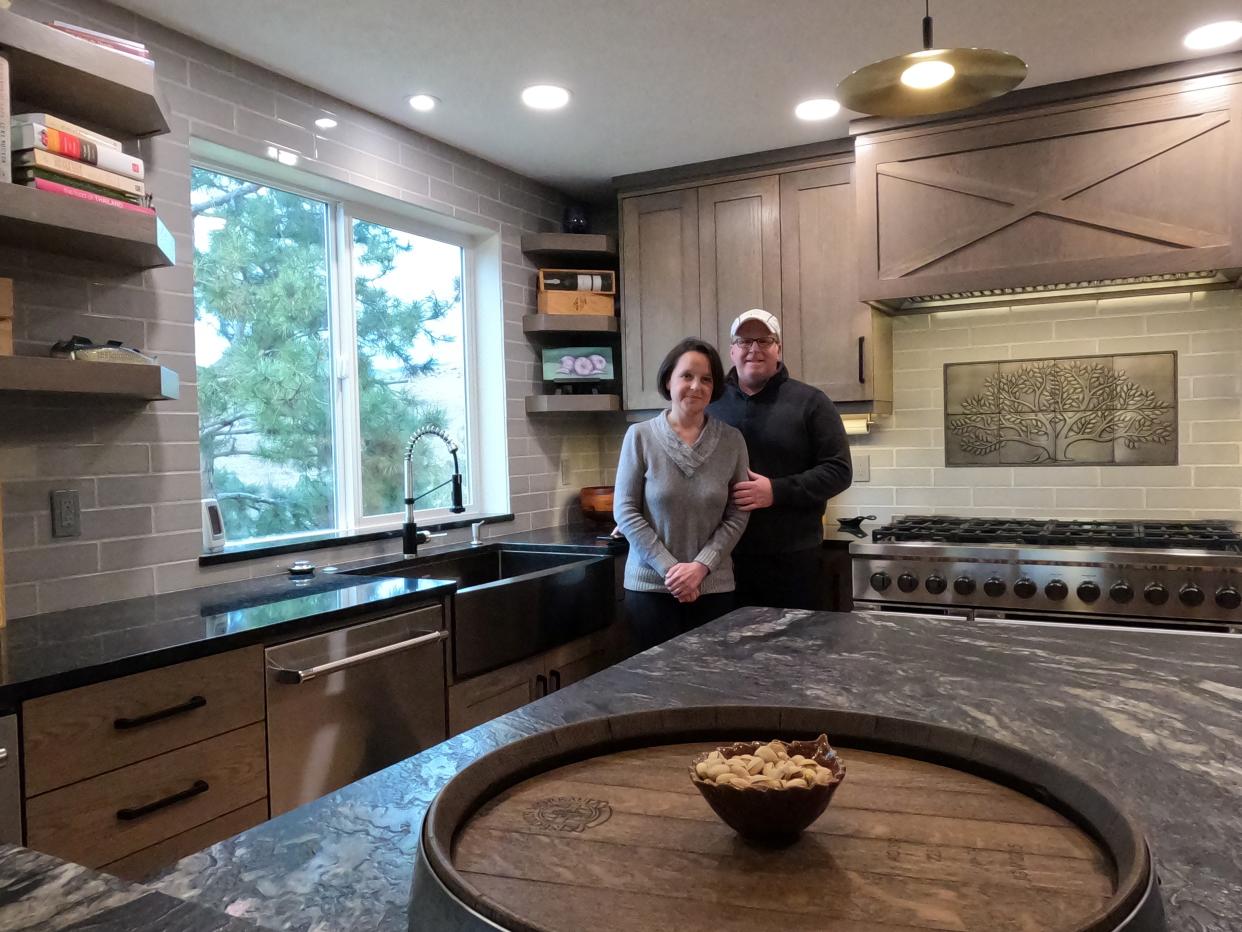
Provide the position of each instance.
(660, 286)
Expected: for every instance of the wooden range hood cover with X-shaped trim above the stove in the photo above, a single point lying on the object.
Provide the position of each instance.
(1132, 183)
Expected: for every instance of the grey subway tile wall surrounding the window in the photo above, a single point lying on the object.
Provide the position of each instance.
(137, 468)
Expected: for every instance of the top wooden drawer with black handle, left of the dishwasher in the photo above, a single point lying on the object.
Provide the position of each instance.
(84, 733)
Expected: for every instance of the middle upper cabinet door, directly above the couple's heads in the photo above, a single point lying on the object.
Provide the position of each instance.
(740, 254)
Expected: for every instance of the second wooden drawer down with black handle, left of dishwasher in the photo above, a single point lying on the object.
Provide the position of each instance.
(104, 820)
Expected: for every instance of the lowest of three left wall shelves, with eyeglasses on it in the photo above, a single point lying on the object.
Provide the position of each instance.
(75, 377)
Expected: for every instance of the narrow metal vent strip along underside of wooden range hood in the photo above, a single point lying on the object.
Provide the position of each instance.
(1066, 291)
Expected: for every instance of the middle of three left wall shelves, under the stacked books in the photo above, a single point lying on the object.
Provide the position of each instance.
(55, 223)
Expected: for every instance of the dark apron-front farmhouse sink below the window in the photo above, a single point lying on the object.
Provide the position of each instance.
(512, 605)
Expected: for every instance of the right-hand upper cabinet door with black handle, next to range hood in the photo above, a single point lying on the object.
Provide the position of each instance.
(833, 341)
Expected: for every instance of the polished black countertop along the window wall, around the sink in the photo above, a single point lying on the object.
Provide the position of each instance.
(60, 651)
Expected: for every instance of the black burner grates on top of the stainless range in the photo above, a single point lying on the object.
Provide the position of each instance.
(1145, 535)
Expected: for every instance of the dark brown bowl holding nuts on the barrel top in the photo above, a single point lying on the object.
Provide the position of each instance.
(766, 816)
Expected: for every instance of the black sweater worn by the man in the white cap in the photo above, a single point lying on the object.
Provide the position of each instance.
(797, 439)
